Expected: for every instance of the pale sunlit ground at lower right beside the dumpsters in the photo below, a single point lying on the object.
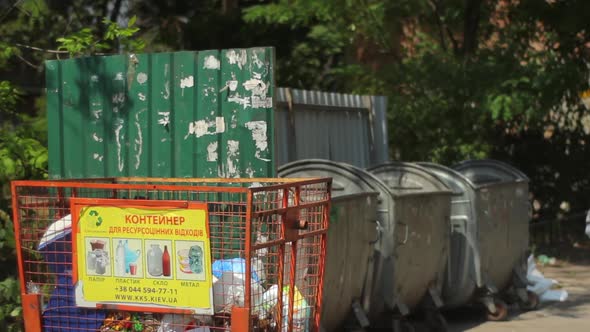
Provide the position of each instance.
(572, 315)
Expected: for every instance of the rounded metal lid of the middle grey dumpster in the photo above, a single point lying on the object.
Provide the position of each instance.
(404, 178)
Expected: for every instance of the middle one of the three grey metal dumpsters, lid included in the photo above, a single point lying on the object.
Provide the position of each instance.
(420, 219)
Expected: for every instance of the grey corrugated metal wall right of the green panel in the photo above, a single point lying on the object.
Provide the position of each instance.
(338, 127)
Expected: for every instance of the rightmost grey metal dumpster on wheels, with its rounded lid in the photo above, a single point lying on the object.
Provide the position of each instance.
(489, 233)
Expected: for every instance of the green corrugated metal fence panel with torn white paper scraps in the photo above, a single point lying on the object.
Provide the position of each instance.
(180, 114)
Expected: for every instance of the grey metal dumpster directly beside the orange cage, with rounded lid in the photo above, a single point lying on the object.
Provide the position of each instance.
(351, 236)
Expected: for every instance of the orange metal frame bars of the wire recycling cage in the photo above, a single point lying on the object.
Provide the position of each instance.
(240, 316)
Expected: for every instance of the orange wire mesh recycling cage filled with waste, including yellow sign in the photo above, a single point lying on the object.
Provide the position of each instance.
(151, 254)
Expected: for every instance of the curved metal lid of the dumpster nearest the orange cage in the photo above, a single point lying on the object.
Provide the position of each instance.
(346, 179)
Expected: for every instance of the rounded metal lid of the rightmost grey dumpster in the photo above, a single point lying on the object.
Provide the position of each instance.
(488, 171)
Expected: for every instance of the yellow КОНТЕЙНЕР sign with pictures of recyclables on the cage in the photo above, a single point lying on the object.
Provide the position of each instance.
(142, 256)
